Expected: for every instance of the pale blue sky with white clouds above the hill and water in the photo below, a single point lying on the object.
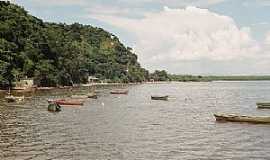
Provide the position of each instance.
(223, 37)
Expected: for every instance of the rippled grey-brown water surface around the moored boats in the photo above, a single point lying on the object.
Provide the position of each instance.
(129, 127)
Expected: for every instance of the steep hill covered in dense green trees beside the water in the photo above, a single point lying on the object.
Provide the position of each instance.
(60, 54)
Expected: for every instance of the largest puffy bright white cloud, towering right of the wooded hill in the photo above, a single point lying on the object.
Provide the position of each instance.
(174, 35)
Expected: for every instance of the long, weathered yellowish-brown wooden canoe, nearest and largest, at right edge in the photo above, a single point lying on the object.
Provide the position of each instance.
(241, 118)
